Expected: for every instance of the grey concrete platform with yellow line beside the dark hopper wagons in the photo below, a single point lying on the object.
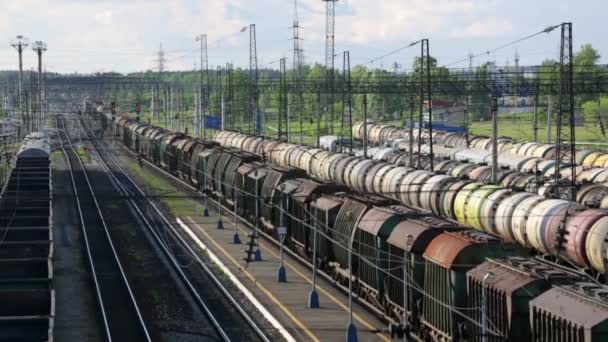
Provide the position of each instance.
(286, 301)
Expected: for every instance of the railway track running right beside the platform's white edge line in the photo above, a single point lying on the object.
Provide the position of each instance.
(212, 300)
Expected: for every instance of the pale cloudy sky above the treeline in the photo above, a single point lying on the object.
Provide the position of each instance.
(87, 36)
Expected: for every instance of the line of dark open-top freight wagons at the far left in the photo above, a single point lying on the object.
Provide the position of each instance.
(26, 246)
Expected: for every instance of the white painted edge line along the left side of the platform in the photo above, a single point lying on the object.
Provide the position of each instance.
(273, 321)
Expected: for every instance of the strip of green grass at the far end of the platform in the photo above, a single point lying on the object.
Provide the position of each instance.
(166, 192)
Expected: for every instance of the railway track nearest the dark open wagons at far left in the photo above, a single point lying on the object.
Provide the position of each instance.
(122, 319)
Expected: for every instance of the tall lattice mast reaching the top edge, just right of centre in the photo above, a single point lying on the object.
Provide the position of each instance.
(330, 26)
